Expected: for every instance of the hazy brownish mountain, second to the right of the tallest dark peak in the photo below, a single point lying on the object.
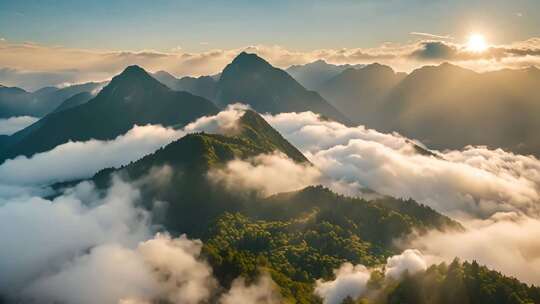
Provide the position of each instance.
(359, 92)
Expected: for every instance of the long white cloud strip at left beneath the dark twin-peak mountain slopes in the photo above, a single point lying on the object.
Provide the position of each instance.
(76, 160)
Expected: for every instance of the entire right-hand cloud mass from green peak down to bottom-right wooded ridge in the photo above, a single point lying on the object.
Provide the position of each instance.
(494, 193)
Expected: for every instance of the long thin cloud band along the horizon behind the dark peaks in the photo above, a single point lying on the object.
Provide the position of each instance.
(33, 66)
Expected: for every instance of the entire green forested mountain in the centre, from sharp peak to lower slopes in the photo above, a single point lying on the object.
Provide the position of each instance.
(302, 235)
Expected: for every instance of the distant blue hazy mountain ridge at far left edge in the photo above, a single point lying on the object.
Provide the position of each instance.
(18, 102)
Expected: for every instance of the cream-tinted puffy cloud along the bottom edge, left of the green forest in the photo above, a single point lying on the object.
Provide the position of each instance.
(161, 268)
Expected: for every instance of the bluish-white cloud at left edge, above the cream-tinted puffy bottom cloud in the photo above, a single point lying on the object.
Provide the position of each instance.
(39, 236)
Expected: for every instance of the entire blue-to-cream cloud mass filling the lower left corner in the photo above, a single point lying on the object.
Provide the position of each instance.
(83, 247)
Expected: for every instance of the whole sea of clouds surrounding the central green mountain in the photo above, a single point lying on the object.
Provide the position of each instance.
(69, 249)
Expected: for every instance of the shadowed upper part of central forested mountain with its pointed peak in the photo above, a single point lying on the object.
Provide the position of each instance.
(193, 199)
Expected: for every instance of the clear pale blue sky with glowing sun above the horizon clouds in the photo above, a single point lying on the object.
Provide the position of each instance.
(302, 25)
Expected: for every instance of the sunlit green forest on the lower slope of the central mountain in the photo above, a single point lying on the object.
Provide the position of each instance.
(303, 236)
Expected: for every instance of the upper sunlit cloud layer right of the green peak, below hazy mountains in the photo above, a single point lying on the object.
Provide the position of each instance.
(475, 182)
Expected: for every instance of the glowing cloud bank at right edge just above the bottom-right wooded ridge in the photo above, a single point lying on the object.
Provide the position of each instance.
(506, 242)
